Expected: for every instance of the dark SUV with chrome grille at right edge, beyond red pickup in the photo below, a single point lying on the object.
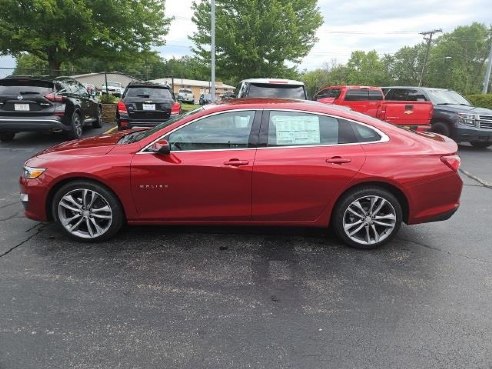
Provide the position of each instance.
(453, 115)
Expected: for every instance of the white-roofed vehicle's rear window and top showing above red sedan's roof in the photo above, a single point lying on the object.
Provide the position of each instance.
(269, 87)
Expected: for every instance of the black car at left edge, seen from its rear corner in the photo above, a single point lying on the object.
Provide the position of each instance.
(59, 104)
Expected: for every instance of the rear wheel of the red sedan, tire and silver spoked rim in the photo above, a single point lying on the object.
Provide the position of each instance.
(367, 224)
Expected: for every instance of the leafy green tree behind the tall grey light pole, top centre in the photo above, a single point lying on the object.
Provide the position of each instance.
(255, 38)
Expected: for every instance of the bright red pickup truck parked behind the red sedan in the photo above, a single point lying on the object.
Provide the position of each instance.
(370, 100)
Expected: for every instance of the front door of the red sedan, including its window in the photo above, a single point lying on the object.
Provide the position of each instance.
(206, 177)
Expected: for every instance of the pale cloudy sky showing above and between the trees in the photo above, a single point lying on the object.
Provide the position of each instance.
(381, 25)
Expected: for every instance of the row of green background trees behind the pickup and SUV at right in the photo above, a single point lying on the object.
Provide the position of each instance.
(456, 61)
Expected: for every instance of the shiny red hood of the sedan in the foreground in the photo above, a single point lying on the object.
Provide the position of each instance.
(99, 145)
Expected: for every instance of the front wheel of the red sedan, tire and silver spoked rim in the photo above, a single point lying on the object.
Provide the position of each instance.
(85, 215)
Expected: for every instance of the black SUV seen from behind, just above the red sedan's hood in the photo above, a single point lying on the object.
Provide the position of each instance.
(146, 104)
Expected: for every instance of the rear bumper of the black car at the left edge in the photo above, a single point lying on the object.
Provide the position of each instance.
(12, 124)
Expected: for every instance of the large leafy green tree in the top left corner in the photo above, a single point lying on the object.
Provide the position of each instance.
(58, 31)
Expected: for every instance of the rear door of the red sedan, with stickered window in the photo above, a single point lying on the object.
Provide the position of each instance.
(303, 168)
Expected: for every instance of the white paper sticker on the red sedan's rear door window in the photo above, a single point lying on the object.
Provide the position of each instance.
(297, 129)
